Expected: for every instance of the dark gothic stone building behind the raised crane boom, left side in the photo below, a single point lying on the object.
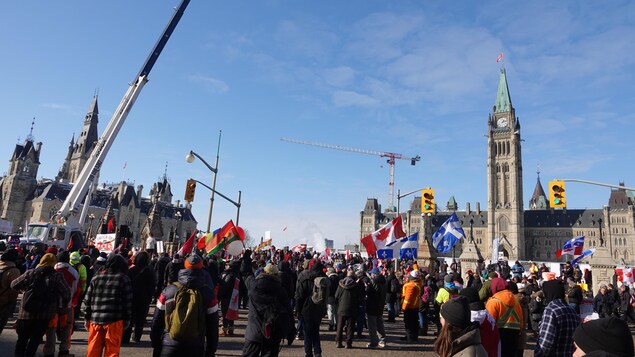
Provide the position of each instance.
(25, 198)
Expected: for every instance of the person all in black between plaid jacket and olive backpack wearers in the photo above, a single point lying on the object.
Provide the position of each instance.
(143, 286)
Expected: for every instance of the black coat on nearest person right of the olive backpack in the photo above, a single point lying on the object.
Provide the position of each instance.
(263, 291)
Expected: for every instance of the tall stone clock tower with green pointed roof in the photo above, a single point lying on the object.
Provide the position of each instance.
(504, 176)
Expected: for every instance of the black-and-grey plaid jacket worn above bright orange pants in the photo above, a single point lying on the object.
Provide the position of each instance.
(109, 299)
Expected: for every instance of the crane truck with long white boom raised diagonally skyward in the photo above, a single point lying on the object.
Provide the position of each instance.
(65, 228)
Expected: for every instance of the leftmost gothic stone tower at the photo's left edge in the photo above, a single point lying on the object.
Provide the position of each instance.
(20, 182)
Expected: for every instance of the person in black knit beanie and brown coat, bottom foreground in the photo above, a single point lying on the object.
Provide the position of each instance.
(459, 336)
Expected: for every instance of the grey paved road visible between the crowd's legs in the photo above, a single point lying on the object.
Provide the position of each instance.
(232, 346)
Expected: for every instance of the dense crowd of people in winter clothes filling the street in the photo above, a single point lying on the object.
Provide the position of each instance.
(290, 296)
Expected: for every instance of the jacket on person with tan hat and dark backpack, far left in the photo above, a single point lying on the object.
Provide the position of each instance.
(57, 285)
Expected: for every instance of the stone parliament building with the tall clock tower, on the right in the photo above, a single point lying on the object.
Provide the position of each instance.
(533, 234)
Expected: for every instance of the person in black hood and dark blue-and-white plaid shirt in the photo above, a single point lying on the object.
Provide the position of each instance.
(559, 321)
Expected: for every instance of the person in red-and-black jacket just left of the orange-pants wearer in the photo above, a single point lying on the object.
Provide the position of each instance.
(63, 321)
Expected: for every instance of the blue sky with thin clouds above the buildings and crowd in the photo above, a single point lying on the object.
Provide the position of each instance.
(412, 77)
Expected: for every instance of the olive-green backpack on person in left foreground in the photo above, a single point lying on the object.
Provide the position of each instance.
(186, 323)
